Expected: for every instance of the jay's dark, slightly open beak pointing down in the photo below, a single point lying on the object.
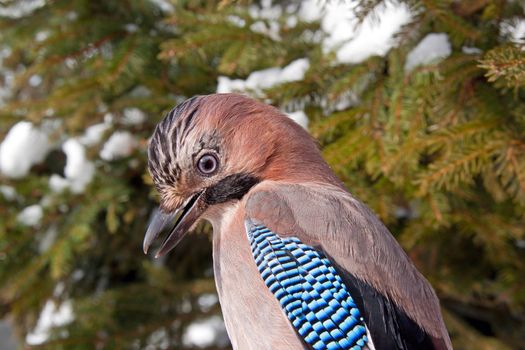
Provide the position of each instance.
(190, 212)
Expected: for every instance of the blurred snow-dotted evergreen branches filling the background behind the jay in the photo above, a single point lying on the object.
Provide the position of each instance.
(418, 105)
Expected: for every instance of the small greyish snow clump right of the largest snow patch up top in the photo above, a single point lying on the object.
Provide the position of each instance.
(433, 47)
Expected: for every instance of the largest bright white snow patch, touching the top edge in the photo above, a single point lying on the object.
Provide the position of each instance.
(353, 42)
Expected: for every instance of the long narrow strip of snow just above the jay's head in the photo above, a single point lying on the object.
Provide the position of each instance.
(265, 78)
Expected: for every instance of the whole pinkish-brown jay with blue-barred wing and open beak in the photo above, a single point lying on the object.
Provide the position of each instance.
(299, 262)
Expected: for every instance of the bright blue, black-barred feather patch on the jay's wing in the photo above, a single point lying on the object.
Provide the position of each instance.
(309, 289)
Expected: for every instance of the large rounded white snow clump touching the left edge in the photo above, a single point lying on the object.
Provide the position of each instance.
(23, 146)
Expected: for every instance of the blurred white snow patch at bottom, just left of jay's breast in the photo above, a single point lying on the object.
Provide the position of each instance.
(204, 333)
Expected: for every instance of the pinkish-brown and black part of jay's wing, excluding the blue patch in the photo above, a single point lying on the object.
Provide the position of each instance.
(399, 307)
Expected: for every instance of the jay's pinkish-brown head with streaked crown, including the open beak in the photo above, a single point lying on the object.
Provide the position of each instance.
(209, 151)
